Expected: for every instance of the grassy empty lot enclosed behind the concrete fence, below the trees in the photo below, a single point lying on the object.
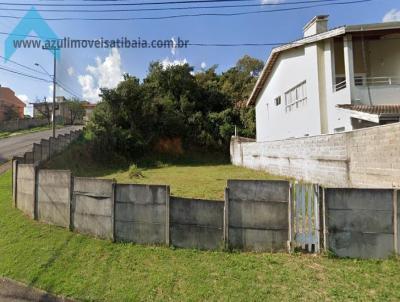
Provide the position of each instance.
(194, 175)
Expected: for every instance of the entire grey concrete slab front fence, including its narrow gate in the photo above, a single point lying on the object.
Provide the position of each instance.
(255, 215)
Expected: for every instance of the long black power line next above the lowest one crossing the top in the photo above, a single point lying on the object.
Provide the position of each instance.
(109, 10)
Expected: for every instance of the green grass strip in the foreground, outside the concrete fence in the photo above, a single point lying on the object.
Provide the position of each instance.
(88, 269)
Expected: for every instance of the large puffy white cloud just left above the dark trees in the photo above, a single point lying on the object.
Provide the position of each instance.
(106, 73)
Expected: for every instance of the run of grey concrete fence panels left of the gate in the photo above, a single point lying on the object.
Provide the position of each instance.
(148, 214)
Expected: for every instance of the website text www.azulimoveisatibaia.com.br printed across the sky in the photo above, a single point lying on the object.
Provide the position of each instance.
(123, 42)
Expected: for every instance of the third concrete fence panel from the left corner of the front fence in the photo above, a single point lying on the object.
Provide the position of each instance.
(93, 207)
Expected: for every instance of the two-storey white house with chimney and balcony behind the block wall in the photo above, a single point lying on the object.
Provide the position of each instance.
(330, 81)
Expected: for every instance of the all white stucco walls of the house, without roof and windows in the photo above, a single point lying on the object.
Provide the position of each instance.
(315, 64)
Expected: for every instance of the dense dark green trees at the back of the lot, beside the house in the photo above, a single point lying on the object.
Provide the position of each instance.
(175, 105)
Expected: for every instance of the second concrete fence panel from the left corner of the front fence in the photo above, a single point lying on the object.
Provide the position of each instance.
(54, 197)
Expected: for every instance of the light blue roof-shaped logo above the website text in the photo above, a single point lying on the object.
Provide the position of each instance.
(31, 22)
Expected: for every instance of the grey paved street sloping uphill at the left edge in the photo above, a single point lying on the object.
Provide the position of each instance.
(18, 145)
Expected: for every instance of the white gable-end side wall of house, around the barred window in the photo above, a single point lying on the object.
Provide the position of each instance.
(292, 68)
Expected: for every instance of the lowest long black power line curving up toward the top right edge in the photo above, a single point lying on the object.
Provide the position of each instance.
(193, 15)
